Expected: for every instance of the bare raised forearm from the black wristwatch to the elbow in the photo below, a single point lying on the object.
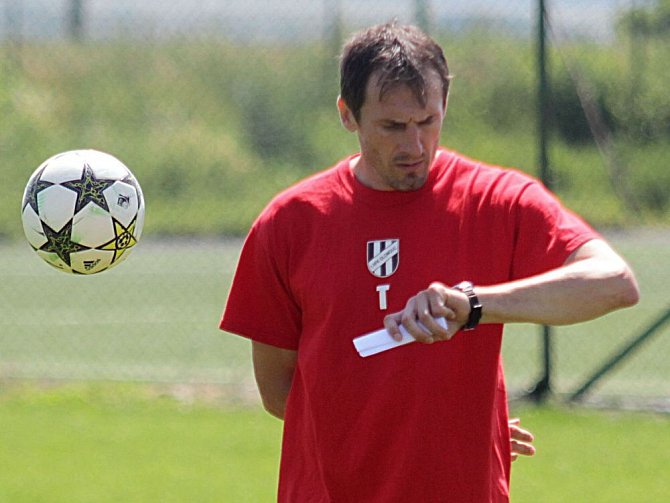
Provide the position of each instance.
(579, 291)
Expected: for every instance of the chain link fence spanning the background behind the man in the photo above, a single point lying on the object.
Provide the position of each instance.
(217, 105)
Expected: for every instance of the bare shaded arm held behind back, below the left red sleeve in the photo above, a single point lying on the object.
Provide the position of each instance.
(273, 368)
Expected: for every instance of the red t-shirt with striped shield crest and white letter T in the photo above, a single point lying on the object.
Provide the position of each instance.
(327, 260)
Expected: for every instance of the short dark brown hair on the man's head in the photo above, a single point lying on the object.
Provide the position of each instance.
(401, 53)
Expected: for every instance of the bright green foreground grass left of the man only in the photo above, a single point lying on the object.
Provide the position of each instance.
(123, 443)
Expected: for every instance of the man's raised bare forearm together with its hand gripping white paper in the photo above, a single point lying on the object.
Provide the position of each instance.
(593, 281)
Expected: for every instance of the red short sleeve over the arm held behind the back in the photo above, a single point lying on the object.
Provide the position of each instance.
(260, 306)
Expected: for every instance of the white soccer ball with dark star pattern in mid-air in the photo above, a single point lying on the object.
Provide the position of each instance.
(82, 211)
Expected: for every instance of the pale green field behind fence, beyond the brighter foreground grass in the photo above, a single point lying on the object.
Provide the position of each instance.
(155, 318)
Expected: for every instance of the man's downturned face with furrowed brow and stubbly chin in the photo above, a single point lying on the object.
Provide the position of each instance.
(398, 136)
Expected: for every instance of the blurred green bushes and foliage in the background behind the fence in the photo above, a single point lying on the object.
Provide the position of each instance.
(213, 127)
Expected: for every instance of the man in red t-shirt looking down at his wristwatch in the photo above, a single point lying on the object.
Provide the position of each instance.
(378, 239)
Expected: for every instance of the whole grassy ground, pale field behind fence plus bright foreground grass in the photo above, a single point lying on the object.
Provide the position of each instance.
(154, 320)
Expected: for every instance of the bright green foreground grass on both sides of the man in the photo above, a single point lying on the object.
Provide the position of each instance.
(138, 443)
